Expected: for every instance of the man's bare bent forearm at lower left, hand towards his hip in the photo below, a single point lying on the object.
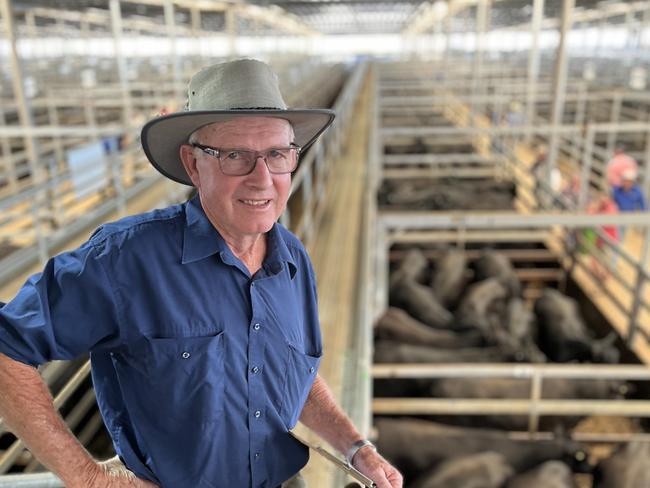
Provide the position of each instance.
(28, 411)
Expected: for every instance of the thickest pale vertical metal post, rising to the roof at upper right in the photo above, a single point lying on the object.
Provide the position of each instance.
(561, 63)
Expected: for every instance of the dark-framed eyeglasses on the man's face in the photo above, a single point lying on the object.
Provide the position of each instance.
(241, 162)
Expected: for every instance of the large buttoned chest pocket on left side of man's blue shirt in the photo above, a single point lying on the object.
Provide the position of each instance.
(182, 376)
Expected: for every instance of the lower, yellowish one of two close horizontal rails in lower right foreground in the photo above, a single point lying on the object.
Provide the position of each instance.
(438, 406)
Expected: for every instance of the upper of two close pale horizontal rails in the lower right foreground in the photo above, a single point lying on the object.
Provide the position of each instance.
(515, 370)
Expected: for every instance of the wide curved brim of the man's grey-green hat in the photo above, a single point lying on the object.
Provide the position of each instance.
(162, 137)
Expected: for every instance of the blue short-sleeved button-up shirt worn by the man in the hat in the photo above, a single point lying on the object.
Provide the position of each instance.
(200, 369)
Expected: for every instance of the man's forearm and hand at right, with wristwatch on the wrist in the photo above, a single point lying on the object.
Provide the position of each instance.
(322, 415)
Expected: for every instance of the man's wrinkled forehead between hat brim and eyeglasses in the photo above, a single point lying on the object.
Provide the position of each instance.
(238, 131)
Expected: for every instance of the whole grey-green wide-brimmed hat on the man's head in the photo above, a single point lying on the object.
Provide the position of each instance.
(222, 92)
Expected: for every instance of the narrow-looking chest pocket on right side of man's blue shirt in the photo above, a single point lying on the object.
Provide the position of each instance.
(301, 373)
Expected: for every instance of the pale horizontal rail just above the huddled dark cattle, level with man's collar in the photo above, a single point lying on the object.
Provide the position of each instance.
(419, 220)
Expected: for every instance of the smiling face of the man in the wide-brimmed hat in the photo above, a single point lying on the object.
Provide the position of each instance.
(240, 206)
